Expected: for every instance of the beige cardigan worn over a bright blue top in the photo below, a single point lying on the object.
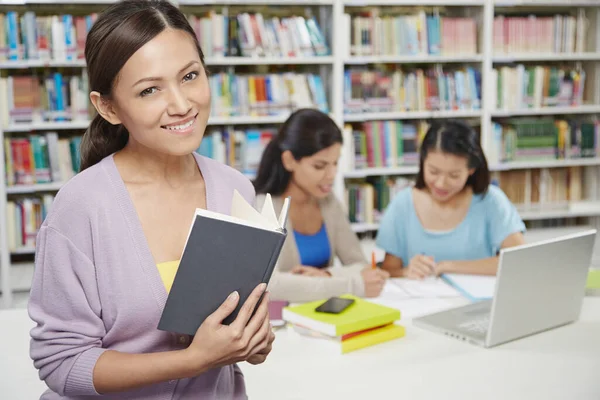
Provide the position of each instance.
(343, 243)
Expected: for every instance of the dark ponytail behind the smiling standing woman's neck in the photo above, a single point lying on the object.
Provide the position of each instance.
(100, 140)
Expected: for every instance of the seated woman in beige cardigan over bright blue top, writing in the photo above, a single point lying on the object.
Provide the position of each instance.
(301, 162)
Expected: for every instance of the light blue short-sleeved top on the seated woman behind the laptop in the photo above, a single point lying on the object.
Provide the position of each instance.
(489, 220)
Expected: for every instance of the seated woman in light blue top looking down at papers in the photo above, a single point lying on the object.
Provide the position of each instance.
(453, 220)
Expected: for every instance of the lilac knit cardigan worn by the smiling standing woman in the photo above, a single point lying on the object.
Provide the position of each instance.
(96, 287)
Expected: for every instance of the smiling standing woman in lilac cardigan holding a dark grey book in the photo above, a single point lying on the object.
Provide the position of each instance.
(100, 281)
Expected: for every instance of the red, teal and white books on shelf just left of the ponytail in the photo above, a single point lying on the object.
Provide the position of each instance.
(41, 158)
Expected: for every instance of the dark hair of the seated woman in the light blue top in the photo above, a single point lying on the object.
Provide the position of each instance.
(458, 138)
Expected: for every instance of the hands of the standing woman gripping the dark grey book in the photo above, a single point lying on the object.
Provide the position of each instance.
(247, 338)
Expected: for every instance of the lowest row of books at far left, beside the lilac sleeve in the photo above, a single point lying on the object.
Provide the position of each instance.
(24, 217)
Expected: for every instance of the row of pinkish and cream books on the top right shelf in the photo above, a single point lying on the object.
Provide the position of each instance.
(540, 34)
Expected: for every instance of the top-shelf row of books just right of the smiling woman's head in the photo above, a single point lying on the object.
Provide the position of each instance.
(253, 35)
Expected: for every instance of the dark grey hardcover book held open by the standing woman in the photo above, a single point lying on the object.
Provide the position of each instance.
(222, 254)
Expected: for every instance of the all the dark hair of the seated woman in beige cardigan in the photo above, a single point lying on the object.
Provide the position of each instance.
(306, 132)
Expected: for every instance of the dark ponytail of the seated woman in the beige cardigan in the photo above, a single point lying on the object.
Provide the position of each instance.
(272, 177)
